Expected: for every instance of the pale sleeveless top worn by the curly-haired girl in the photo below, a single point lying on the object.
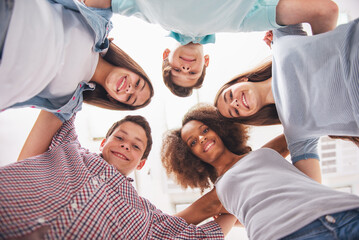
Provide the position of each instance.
(273, 199)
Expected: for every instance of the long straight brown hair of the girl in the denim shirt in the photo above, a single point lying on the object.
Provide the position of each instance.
(100, 98)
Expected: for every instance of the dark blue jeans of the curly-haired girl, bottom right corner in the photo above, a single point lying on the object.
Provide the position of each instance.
(342, 225)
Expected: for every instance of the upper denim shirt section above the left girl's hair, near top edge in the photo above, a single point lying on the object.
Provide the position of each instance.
(98, 20)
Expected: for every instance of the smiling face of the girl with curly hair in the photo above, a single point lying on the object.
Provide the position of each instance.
(203, 142)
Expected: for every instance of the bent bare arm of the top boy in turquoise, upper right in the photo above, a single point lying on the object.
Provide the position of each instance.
(322, 15)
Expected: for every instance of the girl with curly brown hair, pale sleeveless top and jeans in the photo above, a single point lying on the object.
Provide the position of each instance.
(267, 194)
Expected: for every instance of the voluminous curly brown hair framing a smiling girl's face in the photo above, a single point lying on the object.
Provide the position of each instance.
(188, 169)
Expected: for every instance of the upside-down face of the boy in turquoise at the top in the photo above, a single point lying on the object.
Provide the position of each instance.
(186, 63)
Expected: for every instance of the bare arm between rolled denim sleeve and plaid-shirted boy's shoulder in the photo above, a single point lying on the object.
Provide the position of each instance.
(40, 135)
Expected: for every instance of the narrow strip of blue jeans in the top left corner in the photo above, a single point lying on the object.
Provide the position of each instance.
(6, 7)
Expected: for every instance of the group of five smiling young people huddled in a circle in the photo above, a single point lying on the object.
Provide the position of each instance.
(55, 55)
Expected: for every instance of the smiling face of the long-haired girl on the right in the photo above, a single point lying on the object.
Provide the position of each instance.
(241, 99)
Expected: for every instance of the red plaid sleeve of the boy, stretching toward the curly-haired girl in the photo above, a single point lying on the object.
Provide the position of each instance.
(171, 227)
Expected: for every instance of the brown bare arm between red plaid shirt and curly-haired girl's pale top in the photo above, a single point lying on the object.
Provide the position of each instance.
(206, 206)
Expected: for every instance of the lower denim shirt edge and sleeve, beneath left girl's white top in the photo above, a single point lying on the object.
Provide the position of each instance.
(65, 112)
